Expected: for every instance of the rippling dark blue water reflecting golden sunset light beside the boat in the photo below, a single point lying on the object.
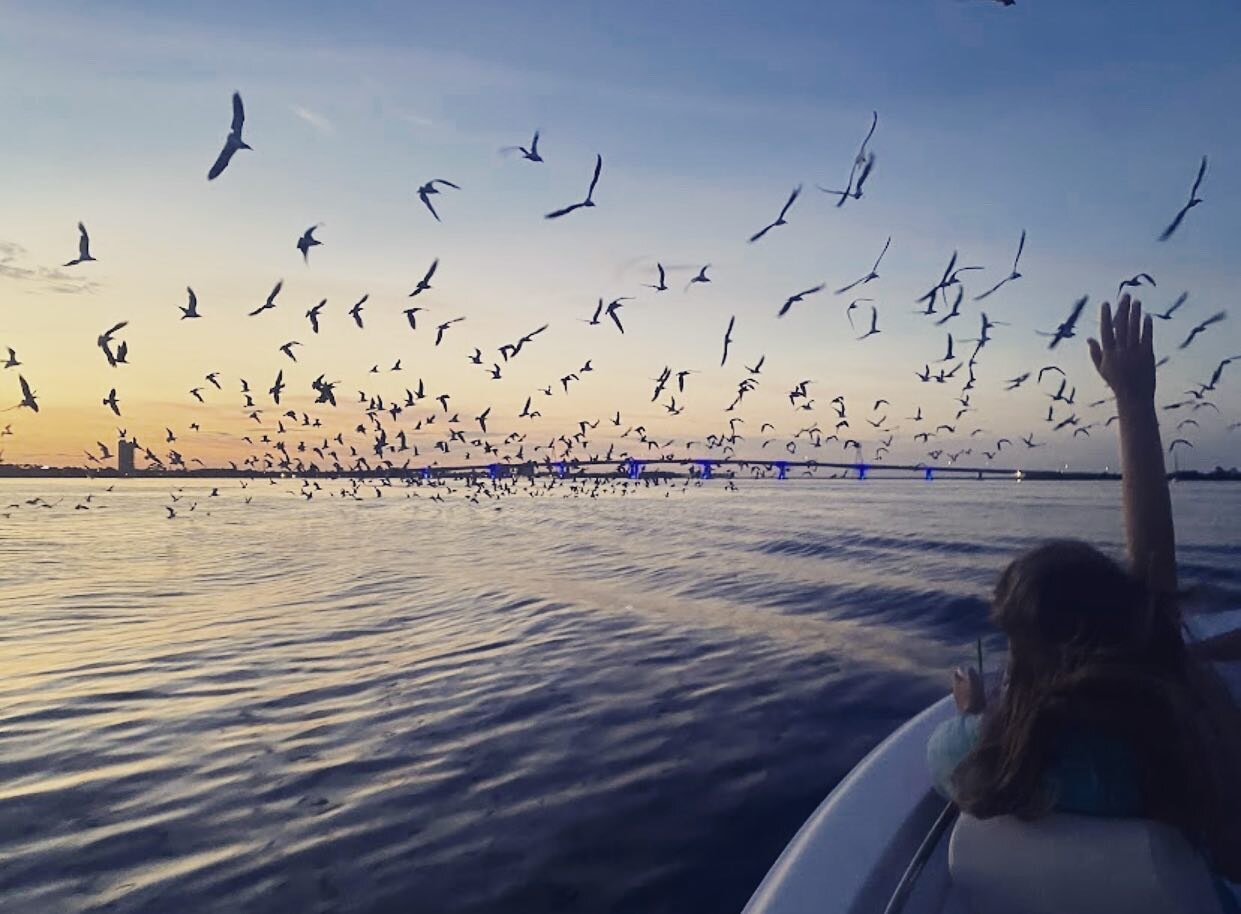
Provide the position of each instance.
(614, 705)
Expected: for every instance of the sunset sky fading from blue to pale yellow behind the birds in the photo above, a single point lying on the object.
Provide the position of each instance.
(1083, 123)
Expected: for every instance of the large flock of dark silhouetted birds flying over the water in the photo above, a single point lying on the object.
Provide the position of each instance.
(383, 451)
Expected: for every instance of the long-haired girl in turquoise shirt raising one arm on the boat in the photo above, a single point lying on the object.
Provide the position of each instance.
(1106, 710)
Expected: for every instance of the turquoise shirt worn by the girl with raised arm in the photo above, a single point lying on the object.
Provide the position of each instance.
(1090, 776)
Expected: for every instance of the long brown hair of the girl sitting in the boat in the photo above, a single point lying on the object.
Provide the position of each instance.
(1090, 653)
